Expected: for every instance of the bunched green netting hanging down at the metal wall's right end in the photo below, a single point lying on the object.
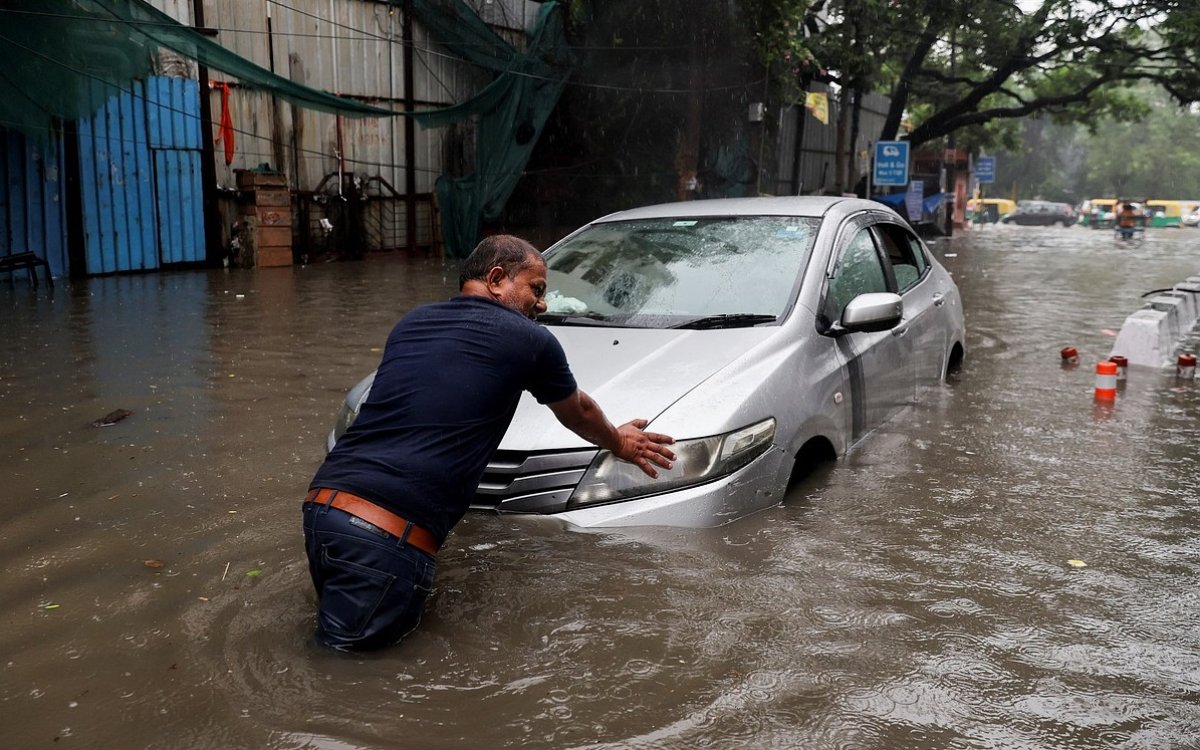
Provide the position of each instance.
(512, 111)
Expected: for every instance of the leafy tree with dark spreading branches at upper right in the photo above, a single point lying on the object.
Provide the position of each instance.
(955, 65)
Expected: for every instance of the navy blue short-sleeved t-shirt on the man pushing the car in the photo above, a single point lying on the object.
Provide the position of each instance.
(446, 392)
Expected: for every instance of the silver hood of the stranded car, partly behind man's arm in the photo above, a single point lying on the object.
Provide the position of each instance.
(633, 374)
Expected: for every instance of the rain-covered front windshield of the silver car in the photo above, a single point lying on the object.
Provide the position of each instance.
(687, 273)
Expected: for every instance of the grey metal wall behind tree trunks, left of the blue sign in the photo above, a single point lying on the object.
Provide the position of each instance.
(818, 154)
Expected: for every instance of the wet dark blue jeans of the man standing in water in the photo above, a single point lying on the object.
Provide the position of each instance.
(371, 587)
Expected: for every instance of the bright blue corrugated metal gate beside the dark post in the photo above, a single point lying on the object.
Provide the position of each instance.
(140, 165)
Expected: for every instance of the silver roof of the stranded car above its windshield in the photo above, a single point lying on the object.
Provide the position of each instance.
(791, 206)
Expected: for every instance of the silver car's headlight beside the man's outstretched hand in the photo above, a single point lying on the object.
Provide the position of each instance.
(698, 461)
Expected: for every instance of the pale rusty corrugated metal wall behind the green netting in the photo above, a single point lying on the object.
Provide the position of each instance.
(353, 49)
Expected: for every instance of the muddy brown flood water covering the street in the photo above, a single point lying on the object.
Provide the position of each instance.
(916, 595)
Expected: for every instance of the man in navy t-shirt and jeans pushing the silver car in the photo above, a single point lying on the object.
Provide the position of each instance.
(405, 473)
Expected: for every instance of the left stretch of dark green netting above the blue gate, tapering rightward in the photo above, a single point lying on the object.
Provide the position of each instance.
(64, 58)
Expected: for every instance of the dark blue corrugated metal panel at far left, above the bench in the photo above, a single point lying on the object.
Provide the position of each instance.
(33, 207)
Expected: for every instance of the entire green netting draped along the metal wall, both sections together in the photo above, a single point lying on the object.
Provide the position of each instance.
(65, 58)
